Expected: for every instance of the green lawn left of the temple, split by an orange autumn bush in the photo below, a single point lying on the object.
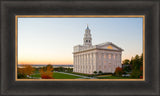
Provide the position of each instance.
(57, 75)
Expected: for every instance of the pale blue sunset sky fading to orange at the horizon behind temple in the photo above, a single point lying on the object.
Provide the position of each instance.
(51, 40)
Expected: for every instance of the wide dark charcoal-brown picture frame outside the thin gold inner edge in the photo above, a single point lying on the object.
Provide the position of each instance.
(11, 8)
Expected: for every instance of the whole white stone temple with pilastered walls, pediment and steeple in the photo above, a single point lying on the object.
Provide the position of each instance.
(103, 57)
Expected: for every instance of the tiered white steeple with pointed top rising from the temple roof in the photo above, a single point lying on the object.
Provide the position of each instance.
(87, 40)
